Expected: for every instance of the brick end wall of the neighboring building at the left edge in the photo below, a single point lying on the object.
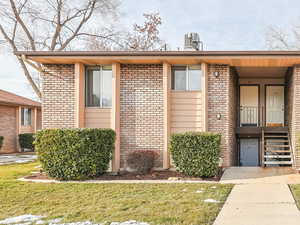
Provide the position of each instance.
(8, 129)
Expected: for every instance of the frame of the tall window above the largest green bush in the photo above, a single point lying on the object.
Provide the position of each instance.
(100, 68)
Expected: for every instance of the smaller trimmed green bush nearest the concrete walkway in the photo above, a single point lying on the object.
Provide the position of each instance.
(196, 153)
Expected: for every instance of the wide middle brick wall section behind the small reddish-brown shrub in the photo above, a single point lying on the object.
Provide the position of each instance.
(141, 109)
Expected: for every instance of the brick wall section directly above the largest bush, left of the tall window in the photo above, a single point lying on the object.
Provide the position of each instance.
(58, 107)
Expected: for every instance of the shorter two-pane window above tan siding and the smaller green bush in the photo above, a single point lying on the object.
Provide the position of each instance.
(186, 78)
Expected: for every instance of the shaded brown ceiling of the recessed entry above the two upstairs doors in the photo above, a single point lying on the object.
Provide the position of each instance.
(267, 72)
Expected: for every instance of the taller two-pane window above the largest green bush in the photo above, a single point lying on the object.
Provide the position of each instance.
(98, 86)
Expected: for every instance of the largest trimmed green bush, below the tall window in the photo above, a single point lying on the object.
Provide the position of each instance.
(75, 154)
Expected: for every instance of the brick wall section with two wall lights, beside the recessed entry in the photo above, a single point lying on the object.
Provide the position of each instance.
(221, 100)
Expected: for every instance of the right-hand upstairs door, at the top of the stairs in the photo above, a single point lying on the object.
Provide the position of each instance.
(274, 106)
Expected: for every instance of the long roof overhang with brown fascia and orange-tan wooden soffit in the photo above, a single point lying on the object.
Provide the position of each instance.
(232, 58)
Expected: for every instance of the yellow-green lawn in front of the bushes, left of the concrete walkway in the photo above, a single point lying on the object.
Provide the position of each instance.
(154, 203)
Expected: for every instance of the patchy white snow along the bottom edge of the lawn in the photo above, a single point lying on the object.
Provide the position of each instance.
(35, 220)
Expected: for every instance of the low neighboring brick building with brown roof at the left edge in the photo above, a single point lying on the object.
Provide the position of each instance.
(17, 115)
